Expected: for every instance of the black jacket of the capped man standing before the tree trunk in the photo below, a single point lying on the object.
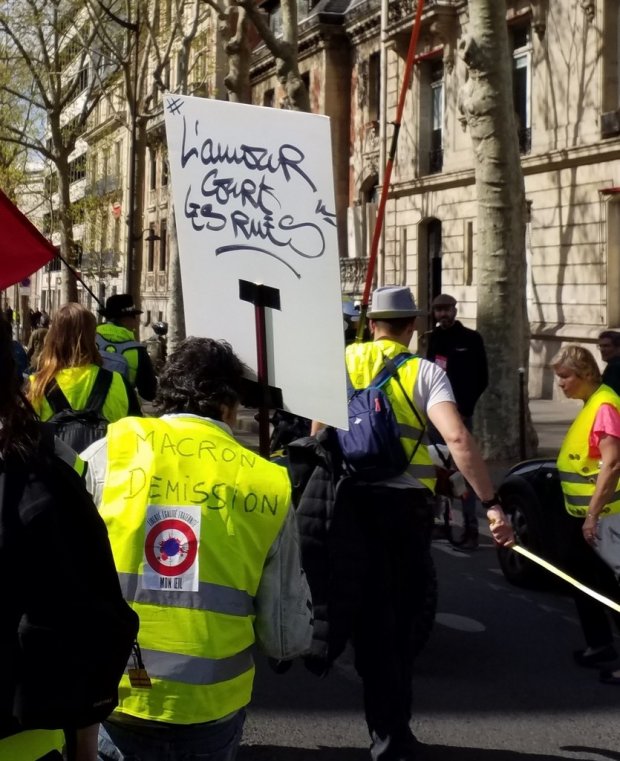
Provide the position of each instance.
(460, 351)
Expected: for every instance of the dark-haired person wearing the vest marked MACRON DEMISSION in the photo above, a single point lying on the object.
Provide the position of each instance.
(207, 551)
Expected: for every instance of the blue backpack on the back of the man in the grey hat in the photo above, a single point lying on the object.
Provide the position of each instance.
(371, 448)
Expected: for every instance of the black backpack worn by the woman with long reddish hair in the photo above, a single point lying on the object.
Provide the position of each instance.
(79, 428)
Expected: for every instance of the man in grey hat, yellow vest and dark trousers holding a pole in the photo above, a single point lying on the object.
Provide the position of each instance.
(381, 531)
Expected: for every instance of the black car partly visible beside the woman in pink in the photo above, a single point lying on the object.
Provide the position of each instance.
(532, 497)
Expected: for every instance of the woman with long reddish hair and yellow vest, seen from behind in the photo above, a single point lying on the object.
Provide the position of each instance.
(69, 367)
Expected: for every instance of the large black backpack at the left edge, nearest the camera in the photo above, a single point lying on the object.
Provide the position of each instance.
(69, 632)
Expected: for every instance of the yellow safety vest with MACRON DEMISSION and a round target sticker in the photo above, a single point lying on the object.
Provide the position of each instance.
(191, 516)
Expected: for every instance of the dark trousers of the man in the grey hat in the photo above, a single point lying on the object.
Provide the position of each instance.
(385, 566)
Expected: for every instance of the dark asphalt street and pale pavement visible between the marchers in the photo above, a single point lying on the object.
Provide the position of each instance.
(496, 682)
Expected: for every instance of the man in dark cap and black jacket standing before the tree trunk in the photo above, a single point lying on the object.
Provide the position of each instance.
(460, 352)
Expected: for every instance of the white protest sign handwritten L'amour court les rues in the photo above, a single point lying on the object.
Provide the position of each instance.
(254, 201)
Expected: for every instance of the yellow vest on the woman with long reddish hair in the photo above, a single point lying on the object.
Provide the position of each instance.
(76, 383)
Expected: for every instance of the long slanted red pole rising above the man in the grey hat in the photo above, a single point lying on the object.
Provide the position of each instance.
(413, 44)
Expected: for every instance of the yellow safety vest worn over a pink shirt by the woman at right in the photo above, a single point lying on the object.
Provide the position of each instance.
(578, 471)
